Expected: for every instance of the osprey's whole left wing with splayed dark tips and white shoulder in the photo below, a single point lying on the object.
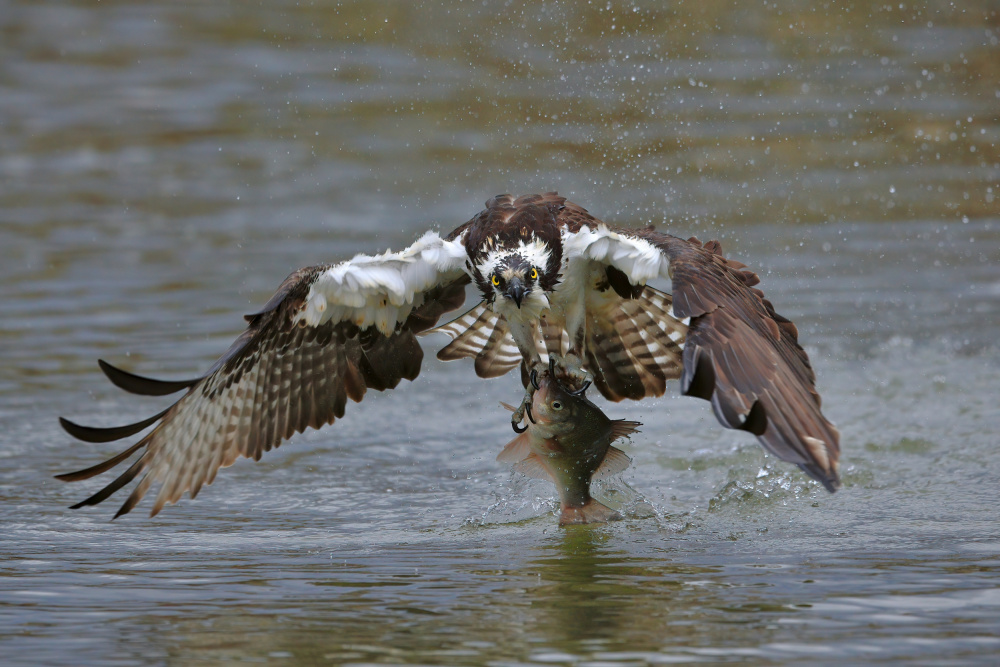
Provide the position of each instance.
(328, 334)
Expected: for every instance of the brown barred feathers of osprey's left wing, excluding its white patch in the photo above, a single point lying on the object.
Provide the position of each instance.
(277, 379)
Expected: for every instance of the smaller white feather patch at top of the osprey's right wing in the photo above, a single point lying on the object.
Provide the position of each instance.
(639, 259)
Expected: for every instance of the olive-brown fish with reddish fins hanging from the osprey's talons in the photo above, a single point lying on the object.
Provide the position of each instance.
(567, 440)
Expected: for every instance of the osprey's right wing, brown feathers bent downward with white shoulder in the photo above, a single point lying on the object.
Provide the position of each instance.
(738, 352)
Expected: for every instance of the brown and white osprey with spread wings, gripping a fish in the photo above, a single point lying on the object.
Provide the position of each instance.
(555, 282)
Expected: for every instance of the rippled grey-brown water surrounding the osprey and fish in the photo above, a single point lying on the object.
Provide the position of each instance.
(164, 165)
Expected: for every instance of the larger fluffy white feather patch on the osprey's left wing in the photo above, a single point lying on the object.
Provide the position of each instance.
(381, 290)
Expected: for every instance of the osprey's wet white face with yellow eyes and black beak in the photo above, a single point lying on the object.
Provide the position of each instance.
(516, 273)
